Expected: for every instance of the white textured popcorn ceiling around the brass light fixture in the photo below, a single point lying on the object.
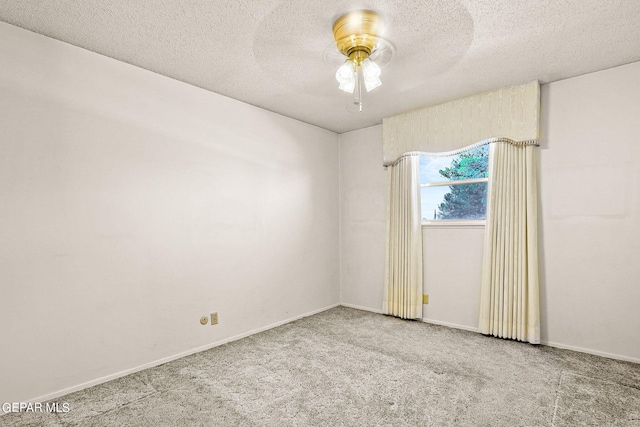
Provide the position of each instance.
(272, 53)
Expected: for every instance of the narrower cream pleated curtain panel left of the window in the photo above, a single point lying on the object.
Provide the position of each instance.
(403, 275)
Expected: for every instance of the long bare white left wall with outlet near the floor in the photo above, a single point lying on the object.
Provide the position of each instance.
(132, 204)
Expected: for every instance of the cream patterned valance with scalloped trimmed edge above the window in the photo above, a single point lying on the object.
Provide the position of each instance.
(511, 112)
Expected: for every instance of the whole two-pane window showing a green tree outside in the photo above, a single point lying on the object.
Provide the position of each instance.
(455, 187)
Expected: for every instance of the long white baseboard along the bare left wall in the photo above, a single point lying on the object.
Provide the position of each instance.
(130, 371)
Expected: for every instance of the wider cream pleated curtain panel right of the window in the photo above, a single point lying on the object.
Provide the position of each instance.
(509, 297)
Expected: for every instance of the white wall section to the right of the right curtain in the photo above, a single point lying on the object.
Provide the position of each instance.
(590, 197)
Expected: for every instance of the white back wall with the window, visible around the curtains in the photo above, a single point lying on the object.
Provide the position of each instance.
(590, 222)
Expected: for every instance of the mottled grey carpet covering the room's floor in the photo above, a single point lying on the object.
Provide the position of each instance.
(346, 367)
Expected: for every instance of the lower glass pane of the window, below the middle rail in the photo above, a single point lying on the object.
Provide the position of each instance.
(462, 201)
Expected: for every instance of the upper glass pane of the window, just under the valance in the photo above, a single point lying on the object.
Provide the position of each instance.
(468, 165)
